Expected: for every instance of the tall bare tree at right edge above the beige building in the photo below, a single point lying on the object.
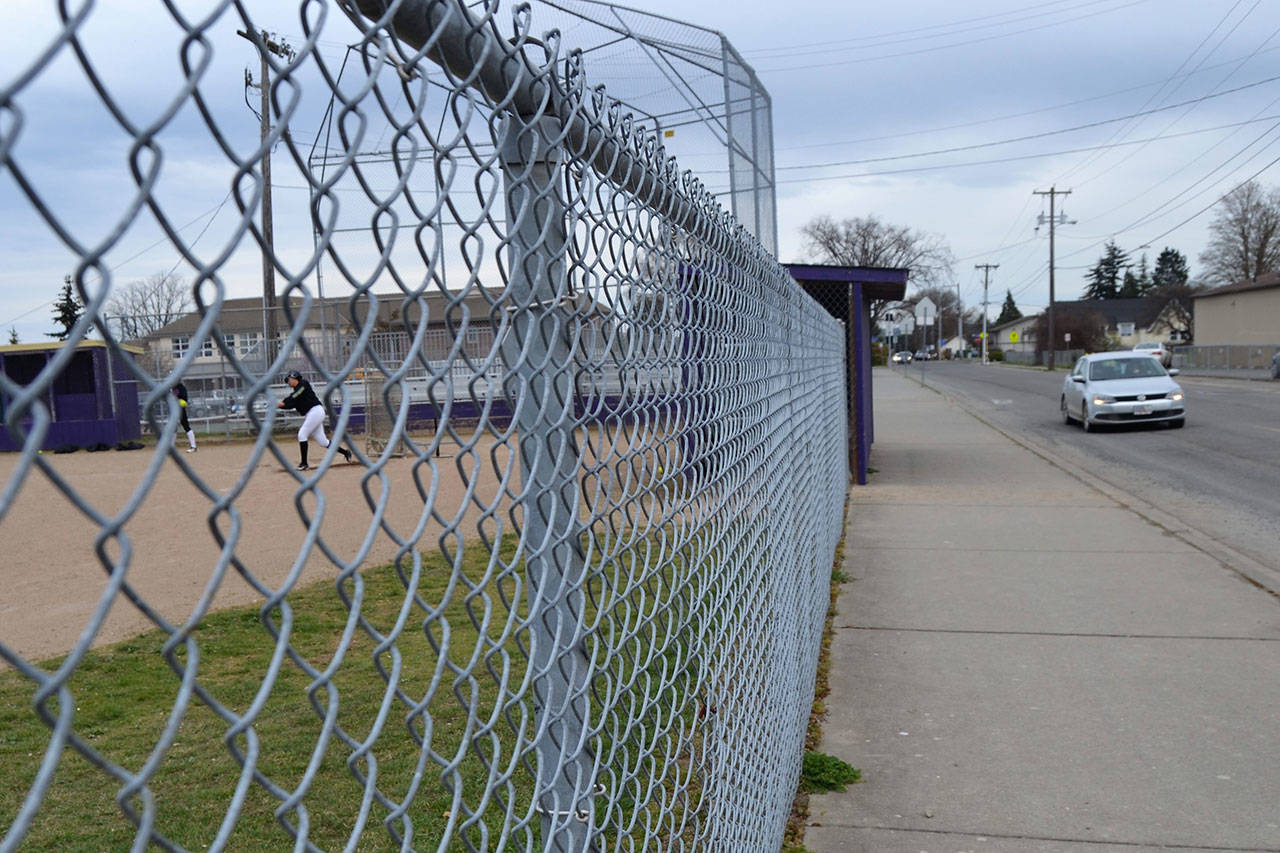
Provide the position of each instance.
(1245, 236)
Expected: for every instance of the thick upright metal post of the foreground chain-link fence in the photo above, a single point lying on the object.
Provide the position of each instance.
(540, 361)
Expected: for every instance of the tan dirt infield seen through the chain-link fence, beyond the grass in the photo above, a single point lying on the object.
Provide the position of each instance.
(53, 581)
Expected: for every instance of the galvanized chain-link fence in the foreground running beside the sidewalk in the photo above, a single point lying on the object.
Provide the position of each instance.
(582, 612)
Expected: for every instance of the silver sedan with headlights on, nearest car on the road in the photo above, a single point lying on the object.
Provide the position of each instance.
(1122, 389)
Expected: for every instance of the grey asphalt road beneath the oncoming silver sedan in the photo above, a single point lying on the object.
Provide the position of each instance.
(1219, 476)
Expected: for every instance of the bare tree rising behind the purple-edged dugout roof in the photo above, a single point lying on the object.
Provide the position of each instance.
(866, 241)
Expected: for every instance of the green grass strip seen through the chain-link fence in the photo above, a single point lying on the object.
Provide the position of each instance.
(463, 647)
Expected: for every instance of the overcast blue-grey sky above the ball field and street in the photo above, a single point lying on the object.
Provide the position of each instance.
(941, 117)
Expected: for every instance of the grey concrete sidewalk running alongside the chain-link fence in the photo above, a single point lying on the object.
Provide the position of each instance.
(1025, 664)
